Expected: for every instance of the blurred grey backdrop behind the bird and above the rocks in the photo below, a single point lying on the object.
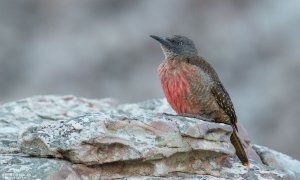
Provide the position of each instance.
(101, 48)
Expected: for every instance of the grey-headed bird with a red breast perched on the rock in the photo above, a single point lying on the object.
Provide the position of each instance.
(192, 87)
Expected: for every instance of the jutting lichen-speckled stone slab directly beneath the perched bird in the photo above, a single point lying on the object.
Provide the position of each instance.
(106, 137)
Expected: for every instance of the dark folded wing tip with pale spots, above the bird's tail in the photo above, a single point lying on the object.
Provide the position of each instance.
(223, 99)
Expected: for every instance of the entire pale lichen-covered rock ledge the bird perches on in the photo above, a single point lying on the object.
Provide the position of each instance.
(67, 137)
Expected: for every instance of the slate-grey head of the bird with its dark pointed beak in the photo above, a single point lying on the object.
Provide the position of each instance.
(176, 45)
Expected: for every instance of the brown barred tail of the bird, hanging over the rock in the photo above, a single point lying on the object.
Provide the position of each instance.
(239, 148)
